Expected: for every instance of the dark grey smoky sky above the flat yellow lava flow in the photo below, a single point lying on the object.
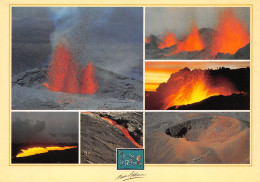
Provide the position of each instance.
(45, 128)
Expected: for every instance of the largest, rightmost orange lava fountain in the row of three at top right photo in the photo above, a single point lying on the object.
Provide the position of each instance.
(231, 34)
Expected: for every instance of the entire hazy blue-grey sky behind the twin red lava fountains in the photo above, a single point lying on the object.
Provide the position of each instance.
(109, 37)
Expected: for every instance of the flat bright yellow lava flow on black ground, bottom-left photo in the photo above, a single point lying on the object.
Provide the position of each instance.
(40, 150)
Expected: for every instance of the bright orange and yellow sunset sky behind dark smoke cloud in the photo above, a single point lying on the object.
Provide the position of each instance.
(159, 72)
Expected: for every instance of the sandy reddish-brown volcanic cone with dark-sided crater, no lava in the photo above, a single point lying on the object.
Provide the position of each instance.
(207, 139)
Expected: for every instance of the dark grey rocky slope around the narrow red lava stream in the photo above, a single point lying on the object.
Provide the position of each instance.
(99, 139)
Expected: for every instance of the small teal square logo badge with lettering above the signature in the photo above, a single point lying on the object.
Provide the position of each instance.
(130, 159)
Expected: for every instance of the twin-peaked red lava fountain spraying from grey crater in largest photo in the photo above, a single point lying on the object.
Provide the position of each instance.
(63, 74)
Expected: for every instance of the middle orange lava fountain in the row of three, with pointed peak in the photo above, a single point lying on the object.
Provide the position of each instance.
(191, 43)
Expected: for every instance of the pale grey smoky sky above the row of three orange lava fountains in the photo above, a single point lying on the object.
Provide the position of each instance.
(179, 20)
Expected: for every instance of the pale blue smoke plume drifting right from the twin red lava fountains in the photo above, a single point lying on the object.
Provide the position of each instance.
(108, 37)
